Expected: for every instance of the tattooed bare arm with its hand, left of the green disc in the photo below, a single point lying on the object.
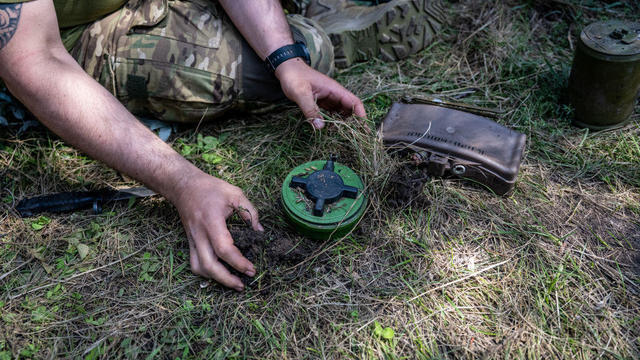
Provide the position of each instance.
(39, 71)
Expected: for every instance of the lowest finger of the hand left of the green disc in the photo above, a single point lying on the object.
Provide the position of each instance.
(209, 264)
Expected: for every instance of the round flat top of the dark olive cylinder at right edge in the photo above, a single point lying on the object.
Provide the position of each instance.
(613, 38)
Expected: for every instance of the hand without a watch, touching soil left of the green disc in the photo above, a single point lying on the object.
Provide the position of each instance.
(204, 204)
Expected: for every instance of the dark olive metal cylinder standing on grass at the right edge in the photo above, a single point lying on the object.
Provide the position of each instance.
(605, 77)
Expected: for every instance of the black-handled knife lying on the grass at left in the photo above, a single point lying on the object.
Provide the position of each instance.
(78, 200)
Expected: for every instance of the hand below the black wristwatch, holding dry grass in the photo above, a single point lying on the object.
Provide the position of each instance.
(309, 89)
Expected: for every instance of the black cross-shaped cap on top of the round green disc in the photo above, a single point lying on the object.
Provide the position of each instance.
(324, 187)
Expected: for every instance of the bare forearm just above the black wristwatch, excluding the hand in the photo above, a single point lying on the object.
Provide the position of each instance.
(262, 23)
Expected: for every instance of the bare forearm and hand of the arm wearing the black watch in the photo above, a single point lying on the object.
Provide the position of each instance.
(264, 26)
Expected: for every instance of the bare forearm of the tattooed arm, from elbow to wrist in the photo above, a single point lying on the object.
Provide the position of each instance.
(84, 114)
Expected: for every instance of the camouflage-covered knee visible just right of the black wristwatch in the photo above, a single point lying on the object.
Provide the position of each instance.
(317, 41)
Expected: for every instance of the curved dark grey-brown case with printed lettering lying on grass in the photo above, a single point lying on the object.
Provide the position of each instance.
(456, 143)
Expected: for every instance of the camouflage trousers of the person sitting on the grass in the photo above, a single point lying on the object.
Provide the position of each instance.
(184, 61)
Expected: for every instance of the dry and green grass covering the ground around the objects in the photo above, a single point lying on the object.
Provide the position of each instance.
(552, 271)
